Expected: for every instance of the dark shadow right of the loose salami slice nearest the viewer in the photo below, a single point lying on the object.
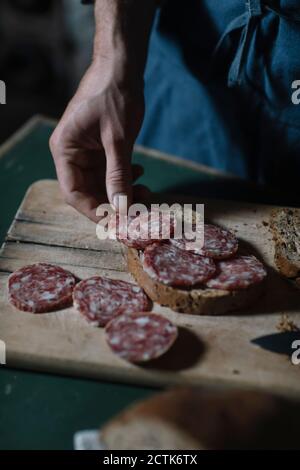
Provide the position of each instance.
(187, 350)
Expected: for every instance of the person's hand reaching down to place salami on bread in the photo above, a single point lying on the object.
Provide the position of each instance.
(93, 142)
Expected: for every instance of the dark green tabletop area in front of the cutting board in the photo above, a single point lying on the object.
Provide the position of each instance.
(40, 411)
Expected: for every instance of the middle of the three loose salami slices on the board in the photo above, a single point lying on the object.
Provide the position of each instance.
(100, 299)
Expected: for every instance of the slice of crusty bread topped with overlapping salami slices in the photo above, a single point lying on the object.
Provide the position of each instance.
(198, 272)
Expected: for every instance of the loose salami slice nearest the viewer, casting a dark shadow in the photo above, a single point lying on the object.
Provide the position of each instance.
(140, 337)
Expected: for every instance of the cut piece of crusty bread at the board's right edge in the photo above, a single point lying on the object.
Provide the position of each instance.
(285, 225)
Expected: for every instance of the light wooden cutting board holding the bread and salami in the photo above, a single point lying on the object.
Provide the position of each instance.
(245, 349)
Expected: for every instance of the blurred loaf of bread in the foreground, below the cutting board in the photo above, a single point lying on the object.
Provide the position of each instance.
(192, 418)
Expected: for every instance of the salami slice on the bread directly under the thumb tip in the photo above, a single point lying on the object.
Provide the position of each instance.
(139, 232)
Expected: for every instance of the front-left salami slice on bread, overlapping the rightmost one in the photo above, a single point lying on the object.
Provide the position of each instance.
(174, 267)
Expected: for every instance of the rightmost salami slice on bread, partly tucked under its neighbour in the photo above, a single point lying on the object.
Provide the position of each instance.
(238, 273)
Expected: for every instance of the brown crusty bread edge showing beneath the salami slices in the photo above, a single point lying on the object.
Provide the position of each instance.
(194, 301)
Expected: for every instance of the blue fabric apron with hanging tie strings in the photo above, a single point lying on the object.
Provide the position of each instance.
(218, 86)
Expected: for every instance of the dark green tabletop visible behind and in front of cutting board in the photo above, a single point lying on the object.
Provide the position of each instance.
(42, 411)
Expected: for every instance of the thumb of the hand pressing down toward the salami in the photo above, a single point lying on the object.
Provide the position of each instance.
(118, 175)
